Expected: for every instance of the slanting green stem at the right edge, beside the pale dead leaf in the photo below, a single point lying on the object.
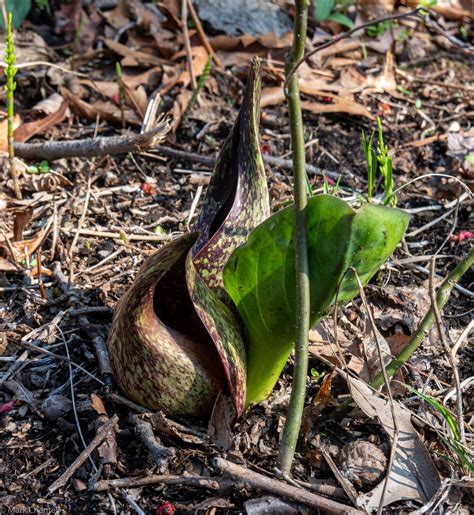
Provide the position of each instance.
(426, 324)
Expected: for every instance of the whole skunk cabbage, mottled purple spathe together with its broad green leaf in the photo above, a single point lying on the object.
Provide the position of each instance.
(213, 311)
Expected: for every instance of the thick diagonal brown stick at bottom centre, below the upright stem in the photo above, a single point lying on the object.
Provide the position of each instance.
(274, 486)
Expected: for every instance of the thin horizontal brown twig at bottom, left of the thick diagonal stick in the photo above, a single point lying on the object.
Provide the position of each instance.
(155, 479)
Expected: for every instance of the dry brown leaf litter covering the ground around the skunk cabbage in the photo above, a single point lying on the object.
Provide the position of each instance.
(342, 94)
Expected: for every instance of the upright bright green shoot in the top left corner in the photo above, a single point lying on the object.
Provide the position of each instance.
(10, 86)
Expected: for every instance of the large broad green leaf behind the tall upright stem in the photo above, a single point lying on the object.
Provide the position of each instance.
(259, 275)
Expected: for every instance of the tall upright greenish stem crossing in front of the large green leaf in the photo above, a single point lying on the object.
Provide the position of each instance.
(295, 408)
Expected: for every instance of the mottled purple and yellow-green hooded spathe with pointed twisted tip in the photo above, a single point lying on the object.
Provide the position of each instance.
(175, 340)
